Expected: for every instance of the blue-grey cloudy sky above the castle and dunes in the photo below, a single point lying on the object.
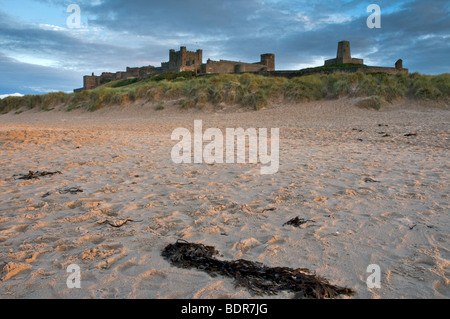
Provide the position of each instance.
(40, 52)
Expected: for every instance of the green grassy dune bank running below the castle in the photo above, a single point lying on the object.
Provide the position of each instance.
(247, 90)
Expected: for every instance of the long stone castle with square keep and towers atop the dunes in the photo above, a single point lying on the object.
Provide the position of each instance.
(190, 61)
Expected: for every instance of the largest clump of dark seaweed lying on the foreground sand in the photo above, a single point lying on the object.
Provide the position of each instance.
(256, 277)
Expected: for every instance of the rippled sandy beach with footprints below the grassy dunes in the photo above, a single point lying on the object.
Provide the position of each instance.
(120, 158)
